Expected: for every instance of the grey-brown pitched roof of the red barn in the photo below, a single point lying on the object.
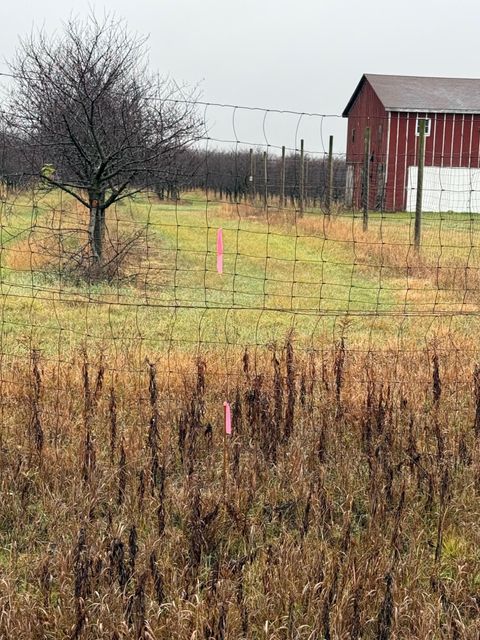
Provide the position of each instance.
(415, 93)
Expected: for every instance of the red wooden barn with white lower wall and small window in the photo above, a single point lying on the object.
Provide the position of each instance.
(391, 106)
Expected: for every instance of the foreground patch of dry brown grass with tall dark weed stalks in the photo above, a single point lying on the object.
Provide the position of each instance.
(350, 511)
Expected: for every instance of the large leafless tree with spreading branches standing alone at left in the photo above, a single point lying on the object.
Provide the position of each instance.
(87, 108)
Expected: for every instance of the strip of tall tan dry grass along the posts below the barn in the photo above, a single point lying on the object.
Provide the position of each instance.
(445, 274)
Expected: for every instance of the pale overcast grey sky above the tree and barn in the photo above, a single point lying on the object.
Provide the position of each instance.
(303, 55)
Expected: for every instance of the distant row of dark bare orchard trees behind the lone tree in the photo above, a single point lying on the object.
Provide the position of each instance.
(250, 175)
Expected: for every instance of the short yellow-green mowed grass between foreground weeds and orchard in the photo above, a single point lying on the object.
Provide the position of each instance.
(313, 276)
